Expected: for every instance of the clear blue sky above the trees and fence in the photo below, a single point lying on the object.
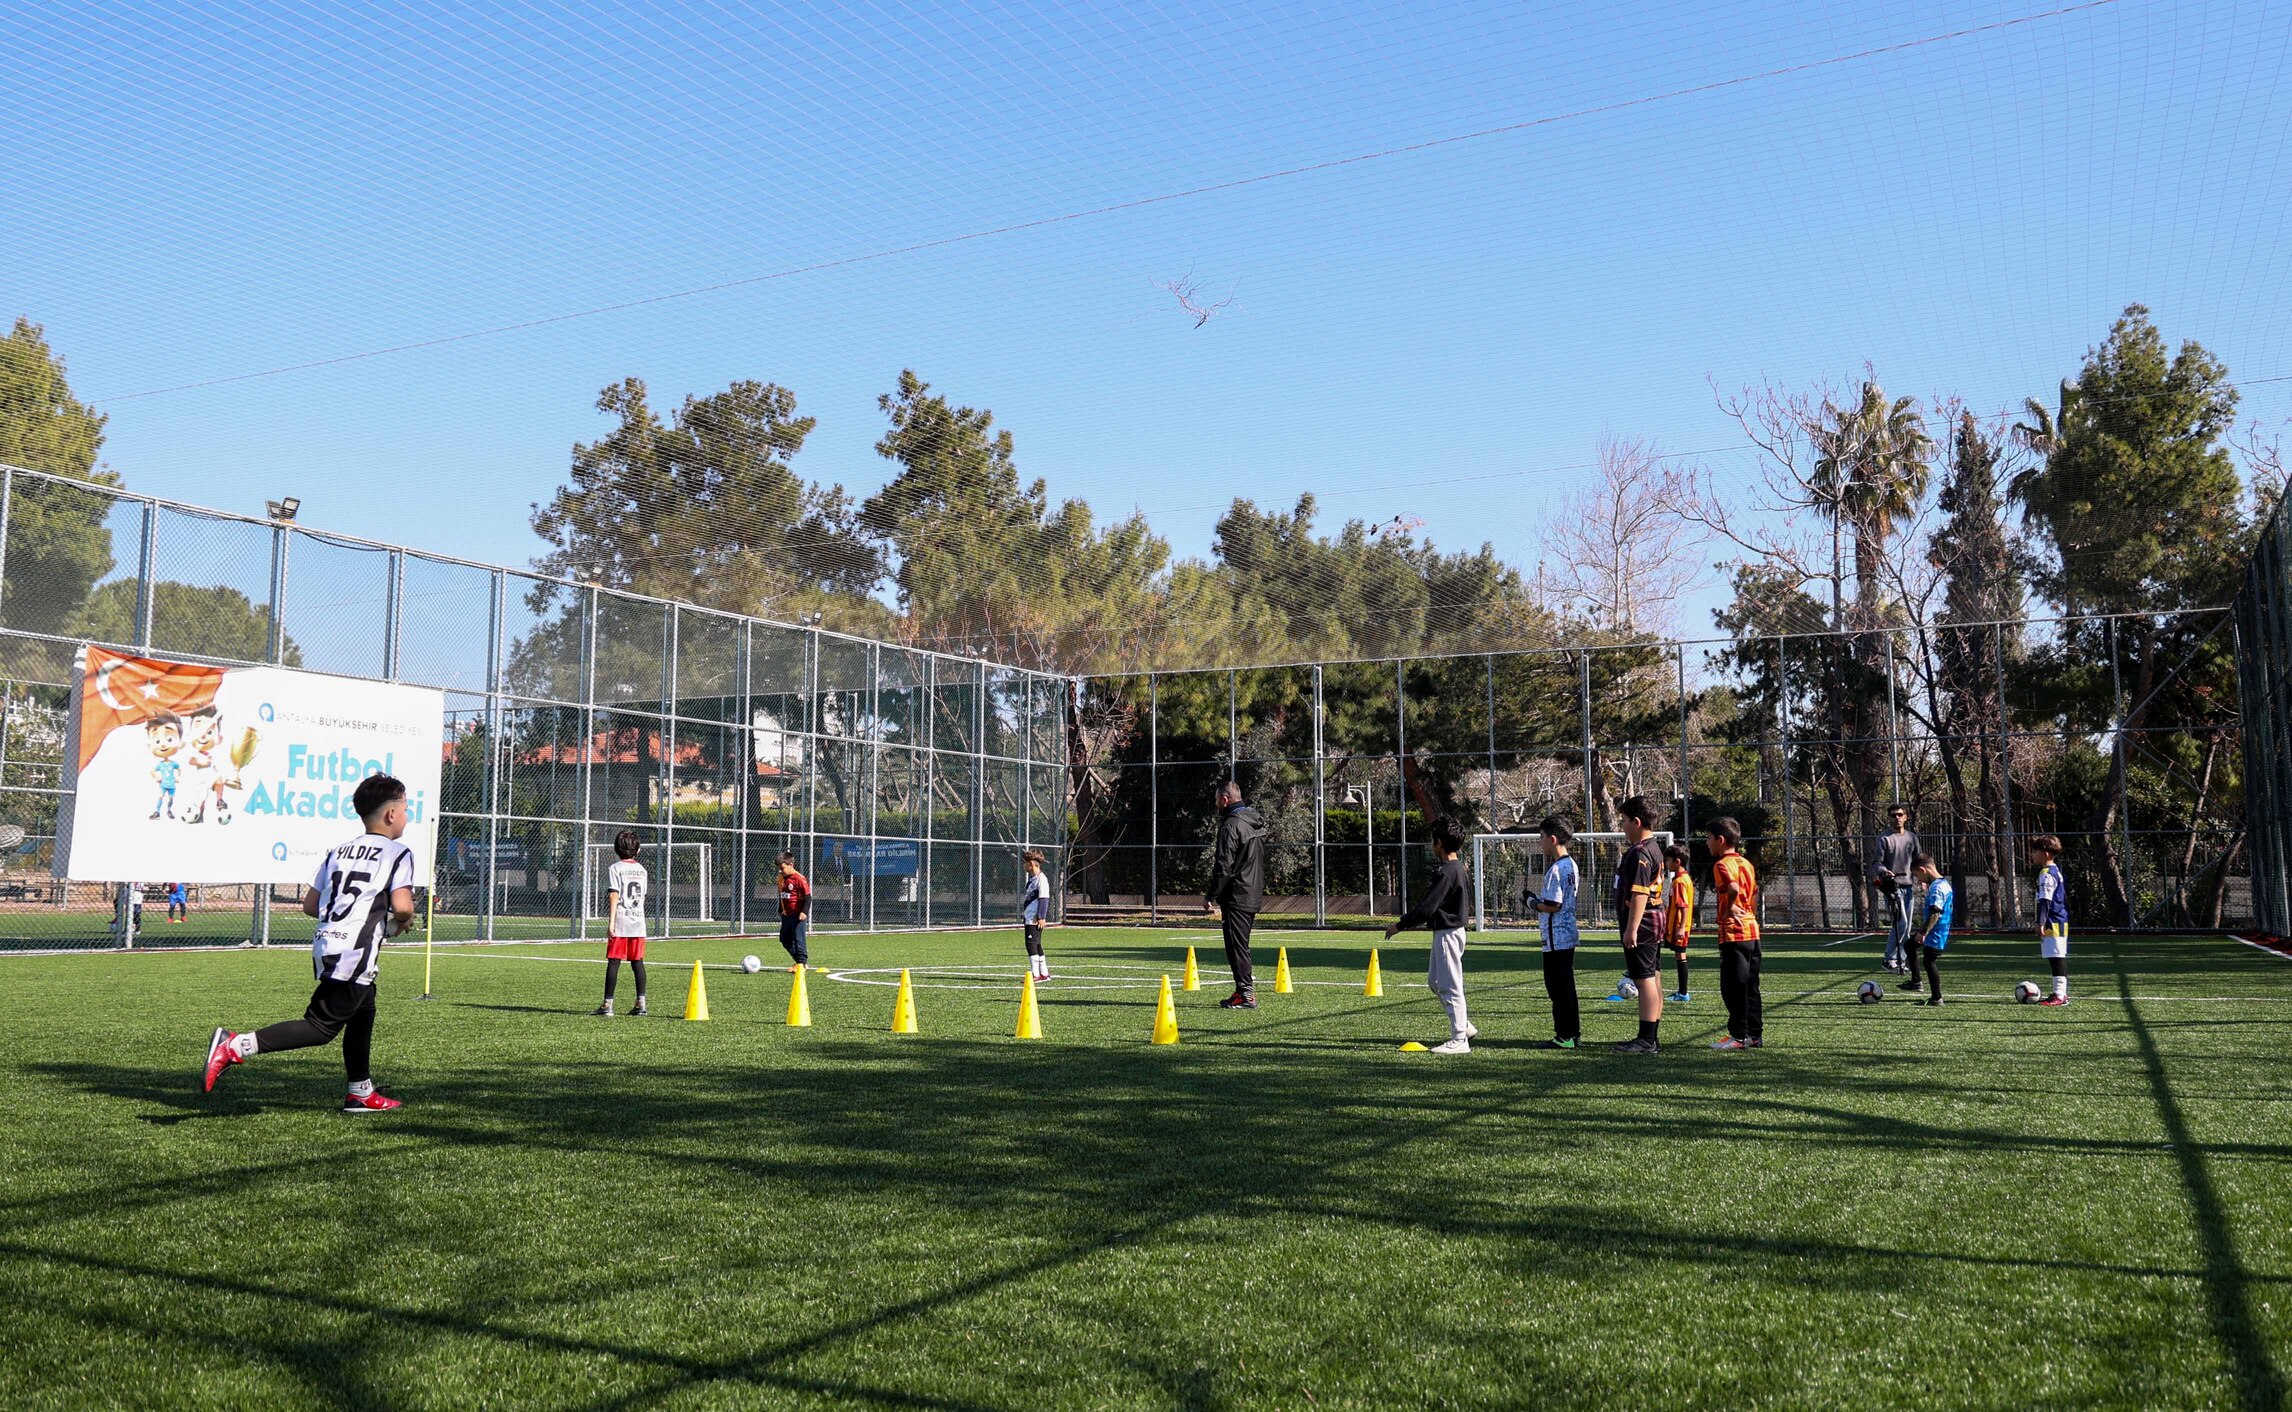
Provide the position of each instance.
(201, 191)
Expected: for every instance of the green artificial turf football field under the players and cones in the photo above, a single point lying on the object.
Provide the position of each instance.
(1986, 1205)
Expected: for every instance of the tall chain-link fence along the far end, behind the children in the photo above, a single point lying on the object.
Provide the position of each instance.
(2119, 735)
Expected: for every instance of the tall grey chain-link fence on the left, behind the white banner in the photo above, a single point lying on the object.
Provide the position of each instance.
(906, 783)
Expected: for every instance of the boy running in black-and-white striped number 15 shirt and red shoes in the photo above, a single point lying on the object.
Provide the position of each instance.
(363, 893)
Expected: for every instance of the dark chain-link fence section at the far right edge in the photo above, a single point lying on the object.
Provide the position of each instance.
(2266, 684)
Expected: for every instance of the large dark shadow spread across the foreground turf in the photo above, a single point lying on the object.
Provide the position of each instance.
(1113, 1147)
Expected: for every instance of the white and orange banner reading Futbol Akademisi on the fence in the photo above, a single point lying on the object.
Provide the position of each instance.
(185, 774)
